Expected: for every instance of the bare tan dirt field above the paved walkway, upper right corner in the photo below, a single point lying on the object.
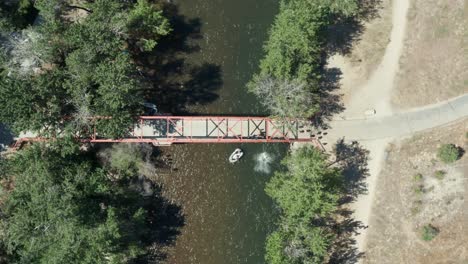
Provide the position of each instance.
(434, 64)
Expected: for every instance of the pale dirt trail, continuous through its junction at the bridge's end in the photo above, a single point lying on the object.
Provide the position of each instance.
(375, 94)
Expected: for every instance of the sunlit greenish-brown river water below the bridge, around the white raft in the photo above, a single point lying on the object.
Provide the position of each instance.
(228, 213)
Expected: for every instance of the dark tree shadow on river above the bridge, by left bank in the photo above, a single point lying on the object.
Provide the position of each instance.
(173, 82)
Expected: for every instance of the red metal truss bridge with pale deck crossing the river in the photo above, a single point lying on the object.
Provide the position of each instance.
(166, 130)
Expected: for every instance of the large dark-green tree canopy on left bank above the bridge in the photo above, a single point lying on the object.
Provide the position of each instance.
(78, 62)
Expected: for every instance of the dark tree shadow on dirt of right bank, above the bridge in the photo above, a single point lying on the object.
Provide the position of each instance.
(340, 37)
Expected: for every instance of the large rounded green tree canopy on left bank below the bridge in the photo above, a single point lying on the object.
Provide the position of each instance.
(66, 208)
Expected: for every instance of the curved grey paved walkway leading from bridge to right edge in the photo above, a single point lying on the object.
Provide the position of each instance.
(400, 124)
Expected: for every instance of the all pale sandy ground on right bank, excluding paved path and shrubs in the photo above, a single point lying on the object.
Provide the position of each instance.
(424, 63)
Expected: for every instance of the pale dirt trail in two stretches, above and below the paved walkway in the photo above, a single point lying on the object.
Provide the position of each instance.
(374, 94)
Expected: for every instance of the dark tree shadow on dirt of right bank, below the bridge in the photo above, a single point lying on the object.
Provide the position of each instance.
(353, 159)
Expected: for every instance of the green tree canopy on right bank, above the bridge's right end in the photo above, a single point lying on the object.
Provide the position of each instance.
(294, 54)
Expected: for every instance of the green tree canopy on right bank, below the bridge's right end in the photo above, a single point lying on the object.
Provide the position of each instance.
(307, 192)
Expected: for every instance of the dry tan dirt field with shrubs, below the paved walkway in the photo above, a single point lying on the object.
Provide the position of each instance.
(415, 189)
